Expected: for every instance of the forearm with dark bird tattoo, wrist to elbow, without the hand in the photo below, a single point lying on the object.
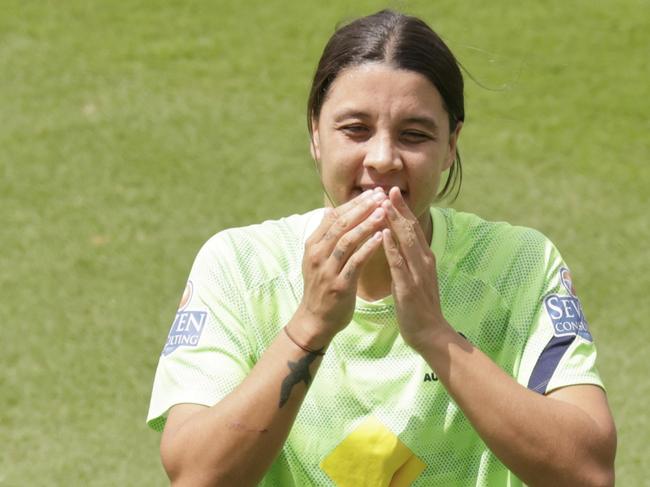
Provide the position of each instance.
(235, 441)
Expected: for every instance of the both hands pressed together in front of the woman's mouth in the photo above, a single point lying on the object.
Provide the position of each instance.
(337, 251)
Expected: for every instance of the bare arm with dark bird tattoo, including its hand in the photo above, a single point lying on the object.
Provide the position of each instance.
(235, 442)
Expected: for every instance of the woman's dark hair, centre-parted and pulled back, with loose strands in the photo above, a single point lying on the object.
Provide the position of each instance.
(404, 42)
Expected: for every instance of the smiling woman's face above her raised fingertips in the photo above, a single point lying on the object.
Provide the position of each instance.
(383, 127)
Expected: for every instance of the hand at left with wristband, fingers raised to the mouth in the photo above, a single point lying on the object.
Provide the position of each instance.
(334, 256)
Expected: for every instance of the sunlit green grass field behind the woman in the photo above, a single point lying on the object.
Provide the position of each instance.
(132, 131)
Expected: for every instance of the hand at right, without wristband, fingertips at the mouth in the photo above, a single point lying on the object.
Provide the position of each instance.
(414, 275)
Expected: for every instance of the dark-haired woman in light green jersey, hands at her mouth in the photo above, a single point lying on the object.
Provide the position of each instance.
(382, 341)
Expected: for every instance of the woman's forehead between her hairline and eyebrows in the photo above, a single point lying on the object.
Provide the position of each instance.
(378, 88)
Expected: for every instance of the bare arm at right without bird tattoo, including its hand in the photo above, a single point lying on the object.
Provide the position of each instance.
(566, 439)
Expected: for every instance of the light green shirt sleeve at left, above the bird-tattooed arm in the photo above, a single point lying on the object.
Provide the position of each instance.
(207, 352)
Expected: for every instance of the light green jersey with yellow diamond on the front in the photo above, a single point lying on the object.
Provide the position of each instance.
(375, 413)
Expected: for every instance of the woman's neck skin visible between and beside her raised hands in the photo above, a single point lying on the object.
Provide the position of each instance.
(375, 281)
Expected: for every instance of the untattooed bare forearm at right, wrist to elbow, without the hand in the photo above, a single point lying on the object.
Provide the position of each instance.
(542, 440)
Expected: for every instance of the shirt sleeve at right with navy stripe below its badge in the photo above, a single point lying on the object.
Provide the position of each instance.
(560, 350)
